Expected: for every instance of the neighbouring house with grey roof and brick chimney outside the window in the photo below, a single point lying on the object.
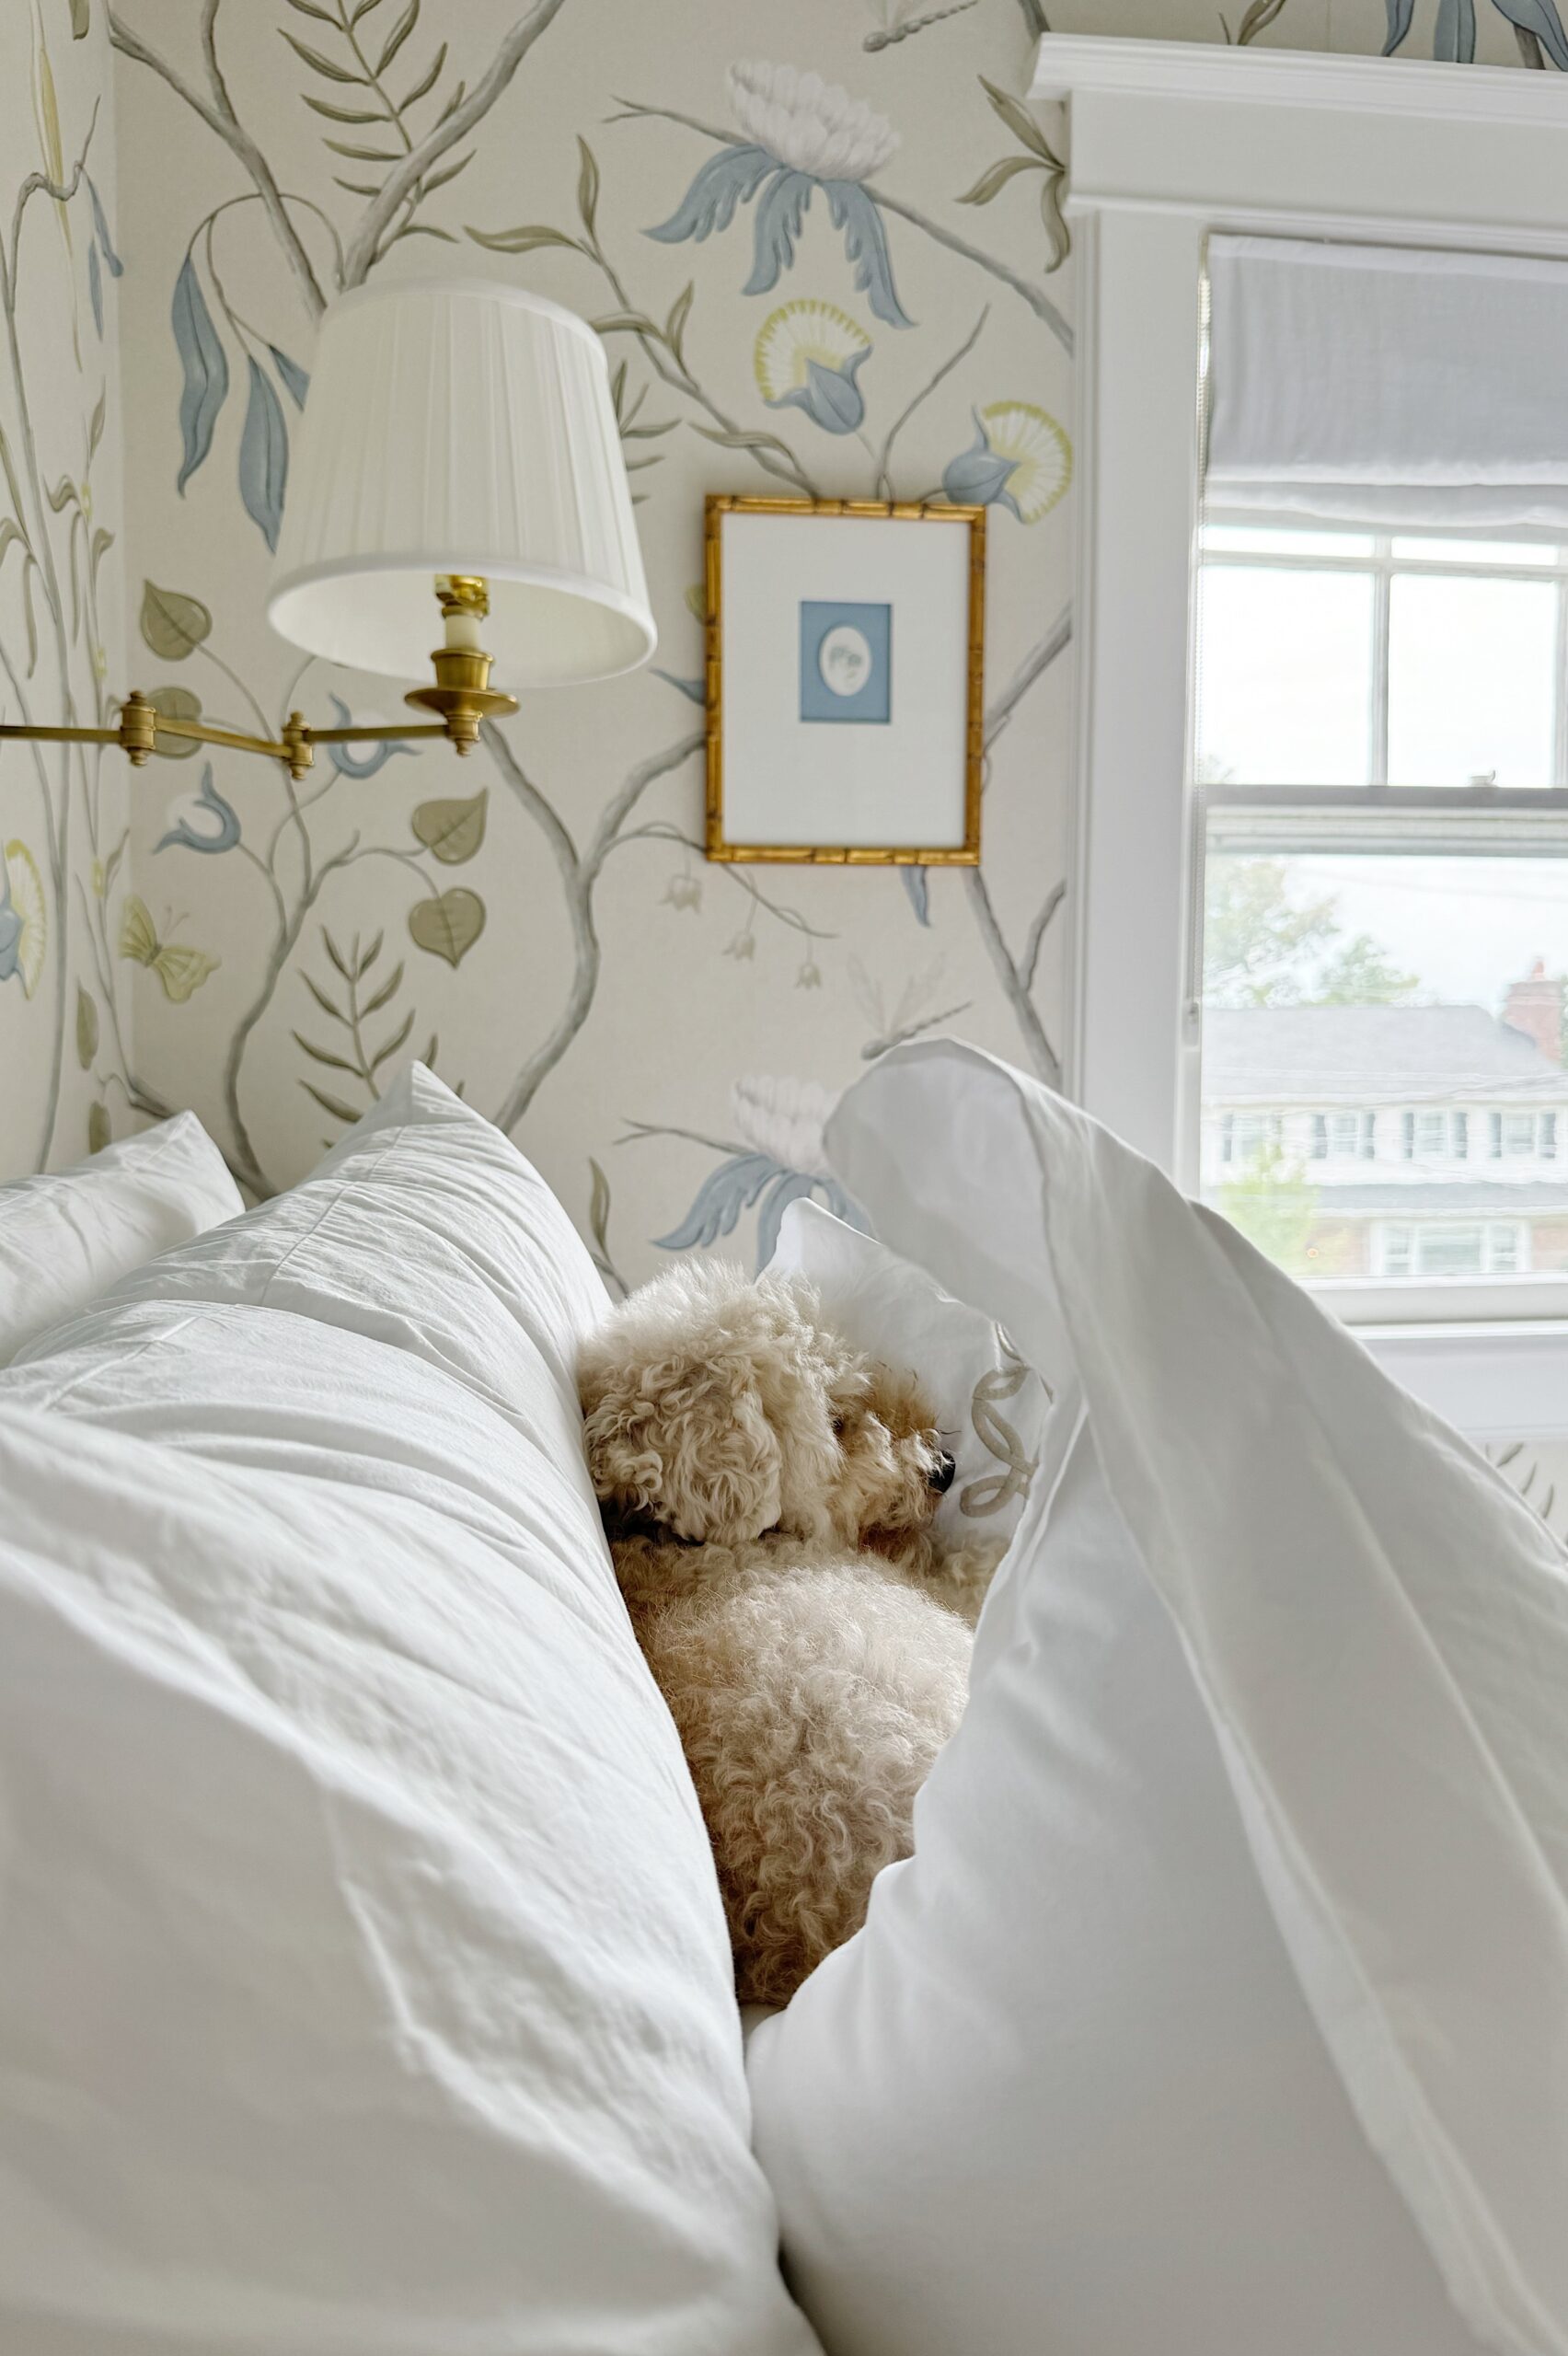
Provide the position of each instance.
(1395, 1141)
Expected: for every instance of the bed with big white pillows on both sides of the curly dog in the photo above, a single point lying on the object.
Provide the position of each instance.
(364, 1980)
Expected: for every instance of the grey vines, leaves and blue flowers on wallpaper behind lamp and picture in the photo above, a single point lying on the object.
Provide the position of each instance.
(797, 145)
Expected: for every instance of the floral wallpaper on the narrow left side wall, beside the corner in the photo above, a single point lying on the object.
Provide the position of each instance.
(65, 1002)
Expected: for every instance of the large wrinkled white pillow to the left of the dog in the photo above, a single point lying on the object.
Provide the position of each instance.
(364, 1980)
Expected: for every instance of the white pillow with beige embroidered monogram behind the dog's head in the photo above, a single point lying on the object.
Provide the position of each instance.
(992, 1408)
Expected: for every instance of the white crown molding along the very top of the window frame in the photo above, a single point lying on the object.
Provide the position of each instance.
(1070, 65)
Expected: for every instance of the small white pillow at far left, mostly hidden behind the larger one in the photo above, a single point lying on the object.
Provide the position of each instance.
(67, 1236)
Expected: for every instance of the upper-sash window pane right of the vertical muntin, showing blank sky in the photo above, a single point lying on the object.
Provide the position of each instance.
(1473, 682)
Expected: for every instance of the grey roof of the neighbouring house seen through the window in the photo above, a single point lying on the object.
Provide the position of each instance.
(1371, 1057)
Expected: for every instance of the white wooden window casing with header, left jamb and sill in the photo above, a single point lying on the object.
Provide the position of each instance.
(1169, 145)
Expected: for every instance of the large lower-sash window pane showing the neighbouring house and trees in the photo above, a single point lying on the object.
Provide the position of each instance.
(1386, 1040)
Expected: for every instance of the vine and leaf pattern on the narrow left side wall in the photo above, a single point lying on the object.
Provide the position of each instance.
(55, 548)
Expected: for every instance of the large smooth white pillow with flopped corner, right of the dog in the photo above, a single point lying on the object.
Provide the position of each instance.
(1251, 1855)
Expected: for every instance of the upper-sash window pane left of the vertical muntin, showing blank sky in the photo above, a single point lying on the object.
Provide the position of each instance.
(1287, 675)
